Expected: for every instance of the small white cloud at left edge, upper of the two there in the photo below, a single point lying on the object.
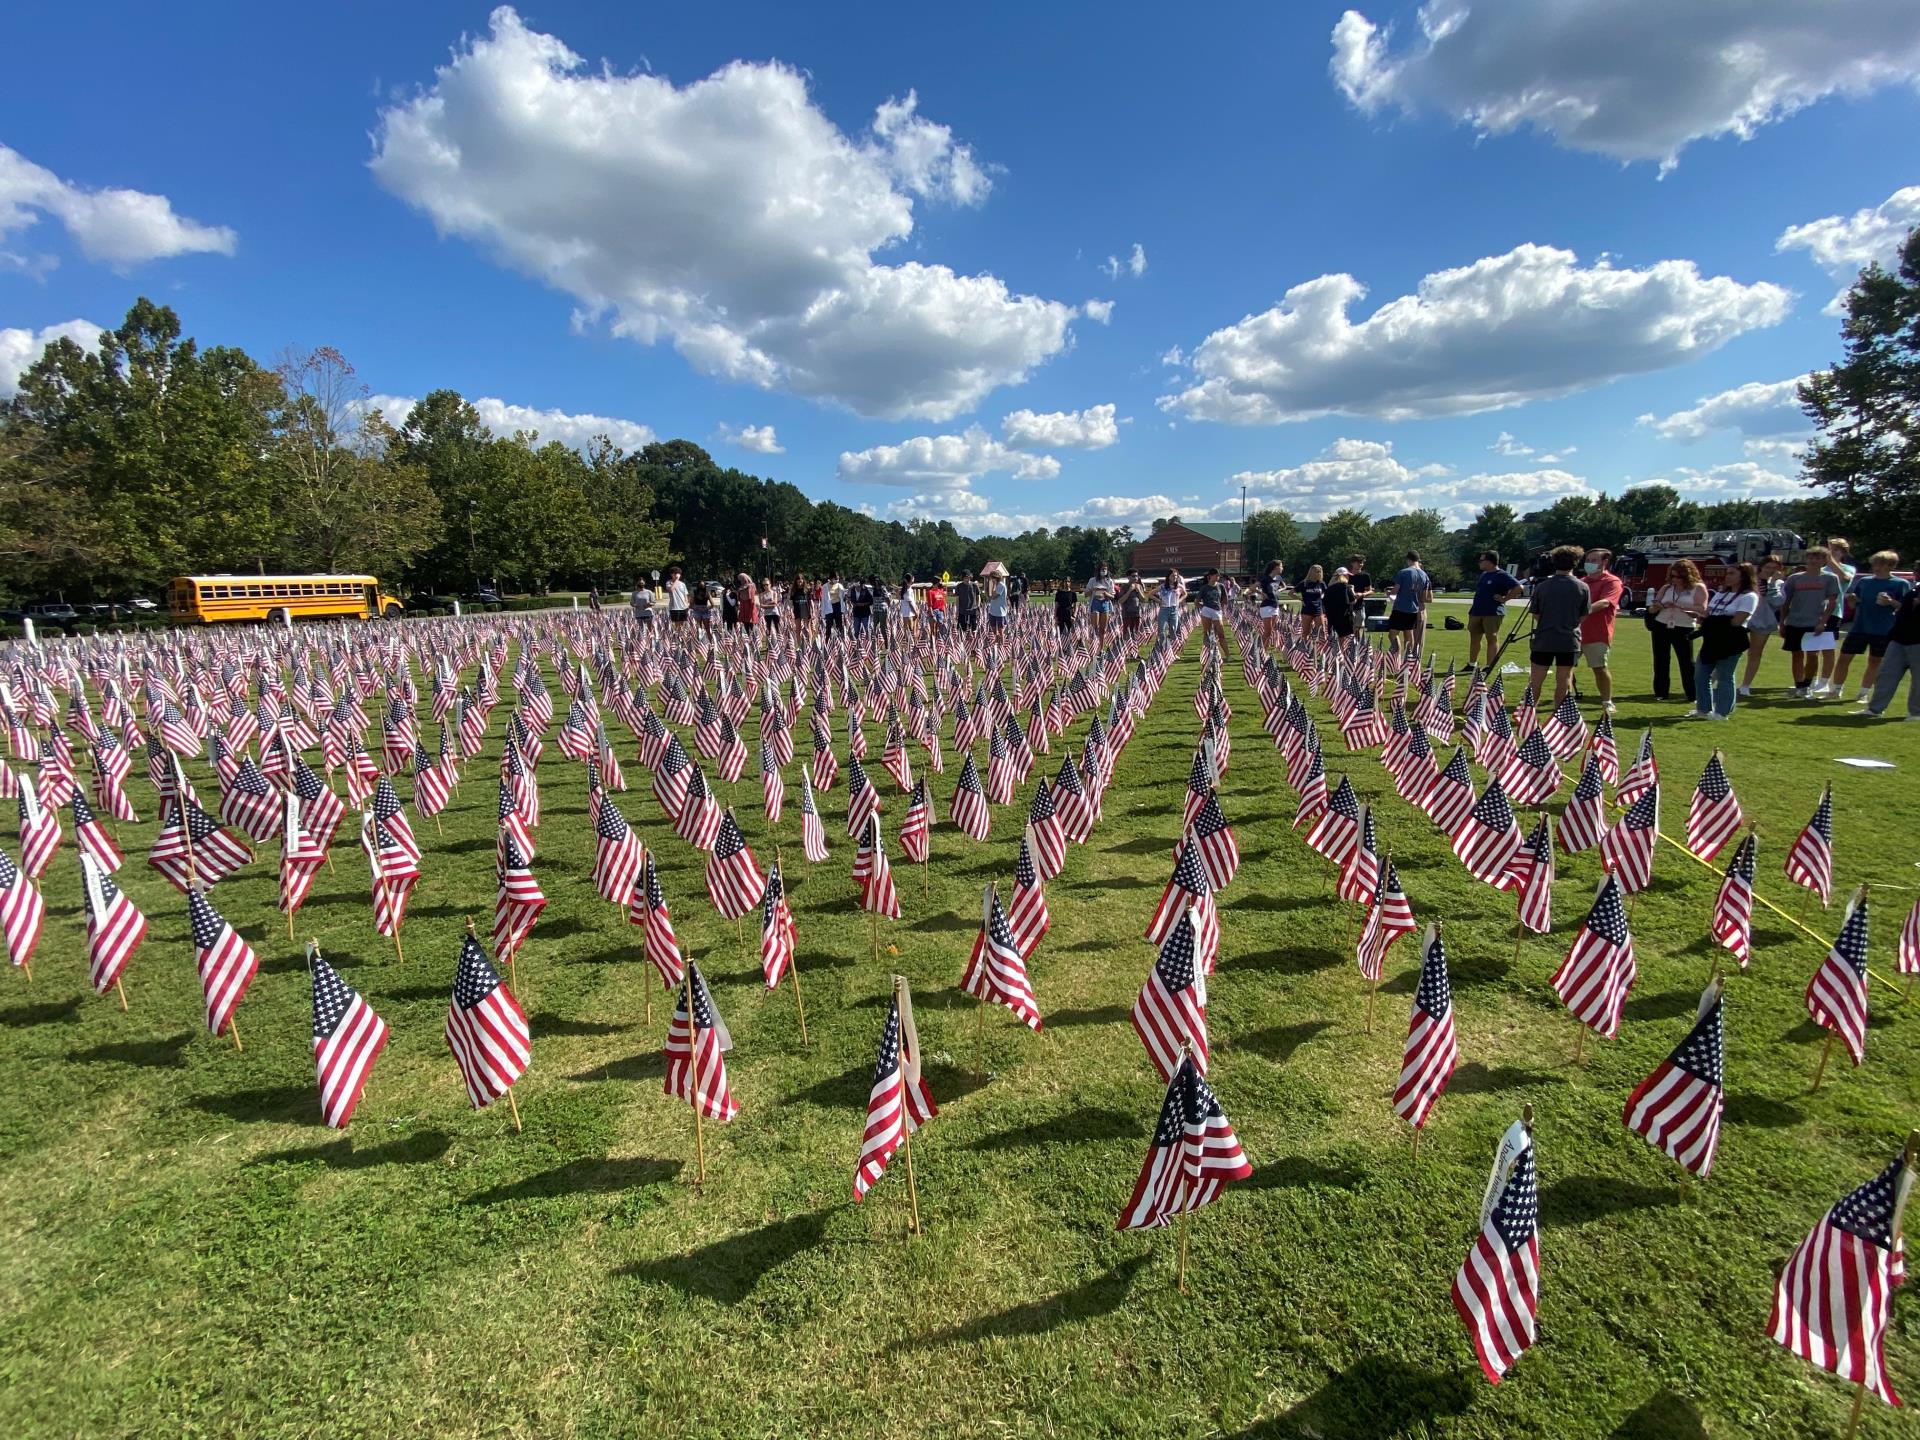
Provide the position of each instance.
(112, 226)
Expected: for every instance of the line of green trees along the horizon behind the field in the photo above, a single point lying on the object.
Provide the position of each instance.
(153, 456)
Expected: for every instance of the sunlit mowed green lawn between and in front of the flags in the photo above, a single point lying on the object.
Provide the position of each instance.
(185, 1249)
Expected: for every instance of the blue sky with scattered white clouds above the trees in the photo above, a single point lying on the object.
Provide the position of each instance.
(1381, 258)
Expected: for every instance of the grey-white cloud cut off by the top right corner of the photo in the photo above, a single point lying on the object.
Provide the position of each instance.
(1631, 80)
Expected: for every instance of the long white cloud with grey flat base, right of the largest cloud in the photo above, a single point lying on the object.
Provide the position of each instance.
(1508, 329)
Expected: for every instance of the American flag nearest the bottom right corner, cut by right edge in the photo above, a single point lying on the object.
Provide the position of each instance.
(1836, 1289)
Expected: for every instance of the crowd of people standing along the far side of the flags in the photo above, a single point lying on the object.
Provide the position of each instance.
(1708, 644)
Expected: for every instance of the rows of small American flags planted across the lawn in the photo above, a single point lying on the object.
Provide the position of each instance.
(149, 777)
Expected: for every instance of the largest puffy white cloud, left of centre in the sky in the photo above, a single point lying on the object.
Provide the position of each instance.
(729, 218)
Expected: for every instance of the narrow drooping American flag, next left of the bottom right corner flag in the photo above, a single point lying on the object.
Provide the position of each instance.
(1497, 1289)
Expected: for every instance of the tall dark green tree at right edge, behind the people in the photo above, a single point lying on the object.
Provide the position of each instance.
(1867, 408)
